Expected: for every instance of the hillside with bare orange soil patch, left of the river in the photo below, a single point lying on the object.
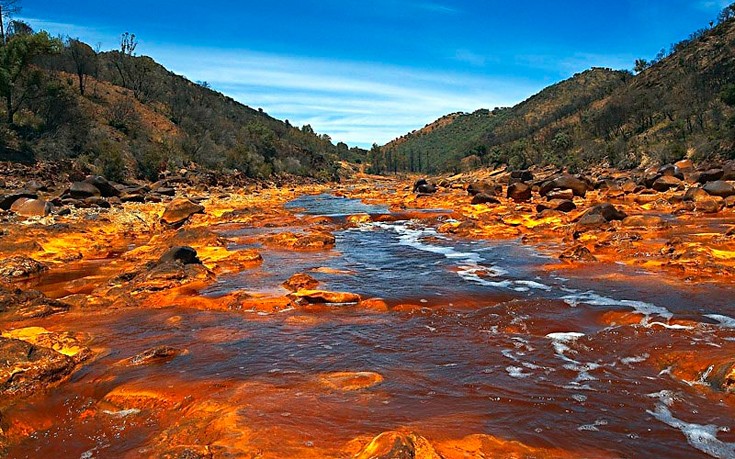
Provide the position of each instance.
(124, 115)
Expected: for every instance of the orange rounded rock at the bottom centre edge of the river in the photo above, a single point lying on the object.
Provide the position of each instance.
(398, 445)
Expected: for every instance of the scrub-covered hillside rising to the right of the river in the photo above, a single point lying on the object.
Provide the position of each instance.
(674, 107)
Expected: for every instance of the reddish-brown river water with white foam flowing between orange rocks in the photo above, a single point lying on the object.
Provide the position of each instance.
(494, 342)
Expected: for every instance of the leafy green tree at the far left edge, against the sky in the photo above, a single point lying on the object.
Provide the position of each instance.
(18, 78)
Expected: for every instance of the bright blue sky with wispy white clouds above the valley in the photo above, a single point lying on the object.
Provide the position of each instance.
(372, 70)
